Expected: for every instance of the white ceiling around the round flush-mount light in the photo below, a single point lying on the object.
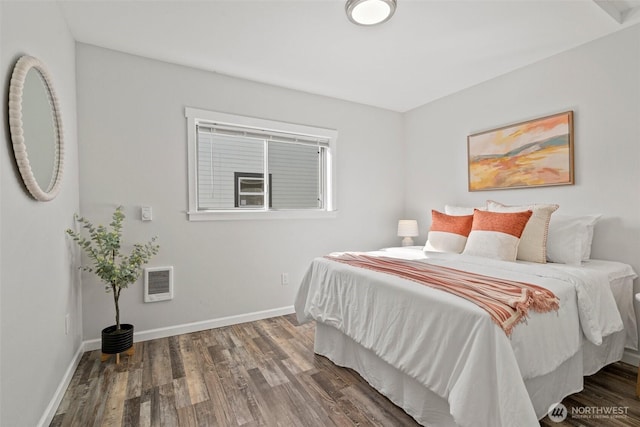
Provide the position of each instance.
(429, 49)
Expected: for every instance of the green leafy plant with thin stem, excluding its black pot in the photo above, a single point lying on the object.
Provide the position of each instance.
(103, 247)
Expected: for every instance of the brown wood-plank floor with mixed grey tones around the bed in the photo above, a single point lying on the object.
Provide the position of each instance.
(263, 373)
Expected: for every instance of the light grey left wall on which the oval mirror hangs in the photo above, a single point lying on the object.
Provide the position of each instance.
(38, 284)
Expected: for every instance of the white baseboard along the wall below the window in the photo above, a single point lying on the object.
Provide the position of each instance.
(197, 326)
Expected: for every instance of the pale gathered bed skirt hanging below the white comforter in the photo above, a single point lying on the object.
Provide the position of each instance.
(429, 409)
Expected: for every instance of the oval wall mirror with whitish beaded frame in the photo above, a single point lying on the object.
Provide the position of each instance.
(36, 128)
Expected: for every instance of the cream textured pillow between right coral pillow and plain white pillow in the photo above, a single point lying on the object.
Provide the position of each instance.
(533, 242)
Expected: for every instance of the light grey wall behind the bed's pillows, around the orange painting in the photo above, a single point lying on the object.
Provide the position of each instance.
(600, 82)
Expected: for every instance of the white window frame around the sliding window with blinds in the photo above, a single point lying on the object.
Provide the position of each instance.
(195, 116)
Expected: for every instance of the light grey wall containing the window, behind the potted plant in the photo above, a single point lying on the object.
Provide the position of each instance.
(133, 152)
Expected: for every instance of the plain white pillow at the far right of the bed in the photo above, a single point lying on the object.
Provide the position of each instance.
(570, 237)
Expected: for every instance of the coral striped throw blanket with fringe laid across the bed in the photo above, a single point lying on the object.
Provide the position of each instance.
(506, 301)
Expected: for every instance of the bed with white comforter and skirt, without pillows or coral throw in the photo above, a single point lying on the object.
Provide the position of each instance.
(443, 360)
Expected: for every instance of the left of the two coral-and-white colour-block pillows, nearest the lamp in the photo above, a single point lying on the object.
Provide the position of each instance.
(448, 233)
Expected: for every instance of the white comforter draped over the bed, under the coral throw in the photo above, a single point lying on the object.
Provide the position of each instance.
(452, 346)
